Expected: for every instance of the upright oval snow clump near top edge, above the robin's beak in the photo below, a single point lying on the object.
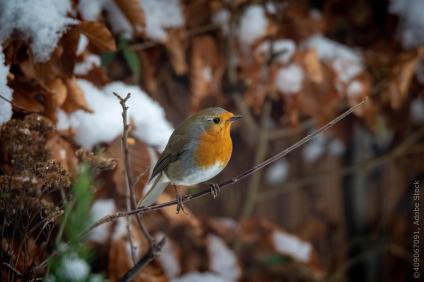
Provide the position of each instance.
(253, 25)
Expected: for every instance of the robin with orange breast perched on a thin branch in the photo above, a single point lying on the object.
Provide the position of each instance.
(198, 149)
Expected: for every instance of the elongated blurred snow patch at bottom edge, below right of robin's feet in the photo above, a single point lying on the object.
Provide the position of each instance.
(222, 259)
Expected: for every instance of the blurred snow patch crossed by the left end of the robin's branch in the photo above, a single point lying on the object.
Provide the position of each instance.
(99, 209)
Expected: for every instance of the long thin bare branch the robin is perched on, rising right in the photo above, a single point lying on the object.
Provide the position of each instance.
(232, 181)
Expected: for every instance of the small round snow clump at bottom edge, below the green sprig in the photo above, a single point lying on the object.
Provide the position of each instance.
(74, 269)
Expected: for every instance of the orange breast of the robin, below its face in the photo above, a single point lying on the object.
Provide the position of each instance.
(214, 148)
